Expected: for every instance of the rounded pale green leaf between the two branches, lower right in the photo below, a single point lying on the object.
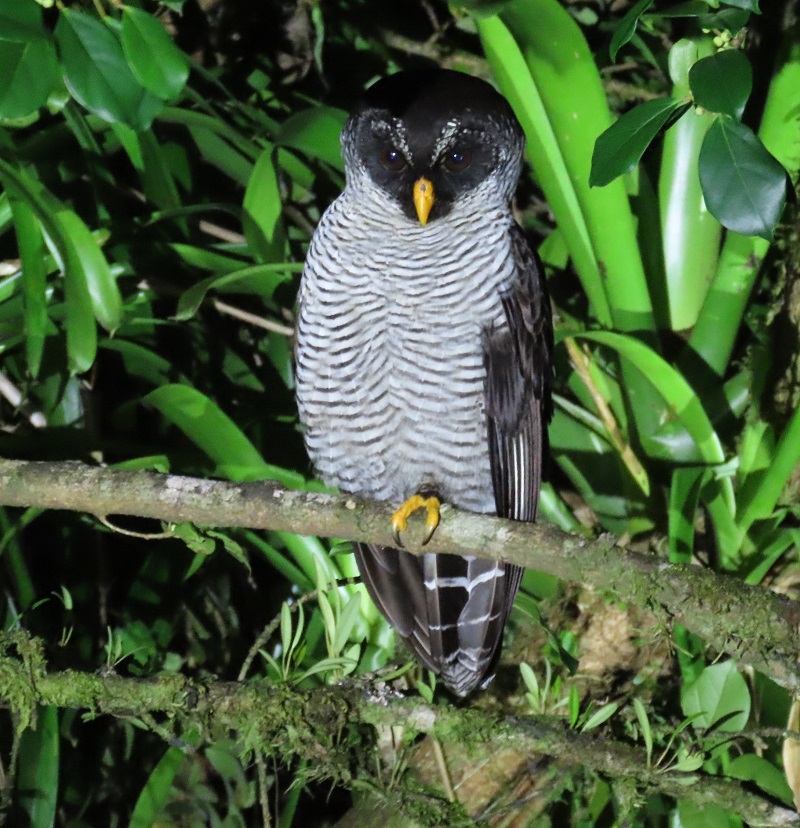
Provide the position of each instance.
(718, 697)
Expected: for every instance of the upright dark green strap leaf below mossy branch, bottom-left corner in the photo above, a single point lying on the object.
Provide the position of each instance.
(38, 769)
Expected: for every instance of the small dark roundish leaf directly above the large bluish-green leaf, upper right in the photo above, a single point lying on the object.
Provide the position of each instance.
(722, 82)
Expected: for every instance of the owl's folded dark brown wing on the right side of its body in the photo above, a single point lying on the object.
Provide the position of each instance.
(518, 359)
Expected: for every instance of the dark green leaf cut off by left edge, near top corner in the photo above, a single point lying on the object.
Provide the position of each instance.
(28, 73)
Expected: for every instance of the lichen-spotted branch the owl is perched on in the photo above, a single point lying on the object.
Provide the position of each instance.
(752, 624)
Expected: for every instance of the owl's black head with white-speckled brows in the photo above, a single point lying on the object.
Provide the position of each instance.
(442, 128)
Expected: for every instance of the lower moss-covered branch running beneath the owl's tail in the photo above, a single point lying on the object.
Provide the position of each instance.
(287, 723)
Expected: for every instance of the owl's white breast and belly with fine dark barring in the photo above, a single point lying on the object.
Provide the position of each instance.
(390, 348)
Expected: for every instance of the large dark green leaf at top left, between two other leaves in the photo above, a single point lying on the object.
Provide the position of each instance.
(97, 73)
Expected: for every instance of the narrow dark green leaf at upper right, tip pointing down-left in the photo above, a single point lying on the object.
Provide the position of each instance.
(619, 148)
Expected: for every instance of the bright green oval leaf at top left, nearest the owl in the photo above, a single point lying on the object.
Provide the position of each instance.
(155, 60)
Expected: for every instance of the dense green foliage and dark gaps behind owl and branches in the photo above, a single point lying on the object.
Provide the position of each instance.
(157, 203)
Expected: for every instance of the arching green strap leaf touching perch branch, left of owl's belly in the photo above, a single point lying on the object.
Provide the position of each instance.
(206, 425)
